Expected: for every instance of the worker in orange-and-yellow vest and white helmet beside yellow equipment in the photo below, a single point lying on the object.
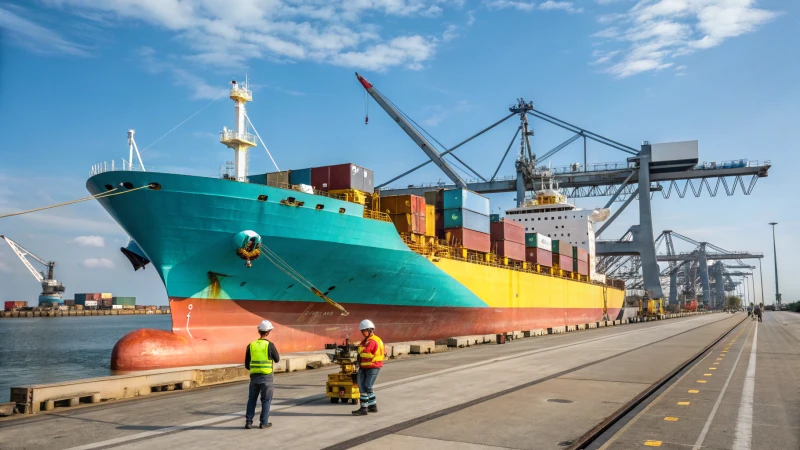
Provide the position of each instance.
(370, 360)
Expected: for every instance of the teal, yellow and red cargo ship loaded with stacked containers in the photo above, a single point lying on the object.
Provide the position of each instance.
(316, 251)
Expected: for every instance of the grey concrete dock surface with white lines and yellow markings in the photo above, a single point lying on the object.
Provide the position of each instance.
(538, 393)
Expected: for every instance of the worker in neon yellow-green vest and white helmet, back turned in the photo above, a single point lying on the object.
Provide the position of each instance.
(259, 359)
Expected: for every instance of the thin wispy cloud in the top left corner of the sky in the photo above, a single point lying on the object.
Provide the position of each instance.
(37, 38)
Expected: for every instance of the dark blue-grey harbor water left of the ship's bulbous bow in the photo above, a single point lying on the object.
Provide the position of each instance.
(49, 349)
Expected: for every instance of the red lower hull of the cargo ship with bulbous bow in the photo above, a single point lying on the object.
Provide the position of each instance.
(207, 331)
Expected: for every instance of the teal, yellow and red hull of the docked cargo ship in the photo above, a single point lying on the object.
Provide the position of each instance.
(187, 228)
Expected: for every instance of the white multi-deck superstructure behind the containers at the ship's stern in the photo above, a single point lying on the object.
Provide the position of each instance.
(550, 215)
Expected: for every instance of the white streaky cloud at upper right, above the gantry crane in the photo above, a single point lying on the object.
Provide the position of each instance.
(655, 32)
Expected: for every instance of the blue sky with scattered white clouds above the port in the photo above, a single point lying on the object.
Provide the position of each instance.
(75, 75)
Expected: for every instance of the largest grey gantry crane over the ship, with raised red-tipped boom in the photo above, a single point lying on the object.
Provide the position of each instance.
(636, 179)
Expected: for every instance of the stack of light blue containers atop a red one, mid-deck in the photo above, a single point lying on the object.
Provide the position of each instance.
(465, 219)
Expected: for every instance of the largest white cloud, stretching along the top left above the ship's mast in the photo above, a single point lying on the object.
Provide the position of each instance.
(215, 32)
